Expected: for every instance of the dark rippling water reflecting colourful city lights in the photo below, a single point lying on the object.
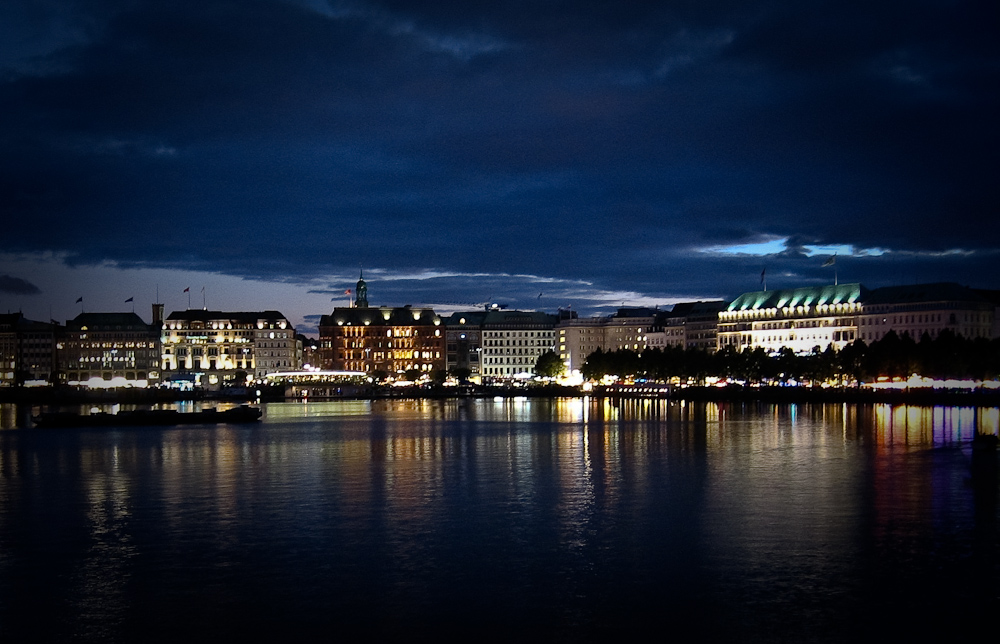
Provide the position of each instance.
(562, 520)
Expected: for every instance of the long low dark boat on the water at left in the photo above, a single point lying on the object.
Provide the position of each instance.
(142, 417)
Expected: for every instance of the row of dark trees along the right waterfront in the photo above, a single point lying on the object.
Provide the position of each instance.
(946, 356)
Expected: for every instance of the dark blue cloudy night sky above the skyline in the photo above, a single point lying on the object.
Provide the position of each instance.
(537, 154)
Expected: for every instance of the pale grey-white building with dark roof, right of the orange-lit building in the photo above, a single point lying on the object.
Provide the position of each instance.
(513, 341)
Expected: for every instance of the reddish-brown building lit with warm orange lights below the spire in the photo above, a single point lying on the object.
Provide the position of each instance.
(389, 339)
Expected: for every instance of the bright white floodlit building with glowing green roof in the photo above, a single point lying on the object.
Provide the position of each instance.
(798, 318)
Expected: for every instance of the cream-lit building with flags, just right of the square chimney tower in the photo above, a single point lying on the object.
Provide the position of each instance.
(214, 348)
